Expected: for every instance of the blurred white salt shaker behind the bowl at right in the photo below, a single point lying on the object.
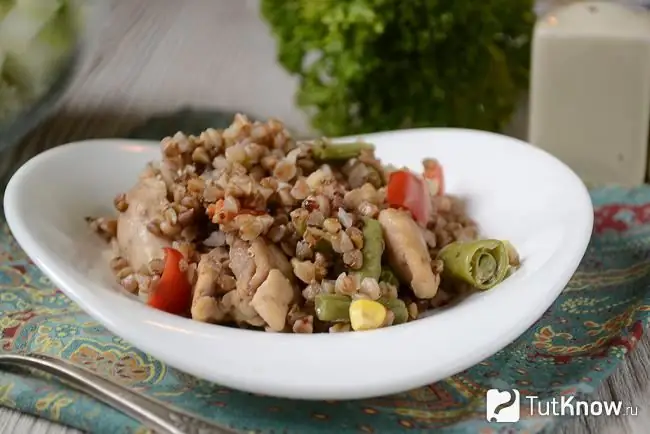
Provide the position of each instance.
(590, 89)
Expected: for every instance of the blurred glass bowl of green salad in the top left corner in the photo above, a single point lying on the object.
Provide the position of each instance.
(40, 42)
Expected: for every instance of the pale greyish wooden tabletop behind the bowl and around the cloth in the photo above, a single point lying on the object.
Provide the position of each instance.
(161, 55)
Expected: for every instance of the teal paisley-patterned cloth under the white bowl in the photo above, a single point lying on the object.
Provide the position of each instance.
(596, 321)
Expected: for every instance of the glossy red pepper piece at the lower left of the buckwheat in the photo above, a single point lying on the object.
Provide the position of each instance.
(173, 292)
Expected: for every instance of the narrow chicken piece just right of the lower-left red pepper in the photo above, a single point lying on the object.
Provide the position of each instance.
(205, 306)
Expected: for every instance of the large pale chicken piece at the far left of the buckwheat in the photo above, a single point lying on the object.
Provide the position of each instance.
(147, 200)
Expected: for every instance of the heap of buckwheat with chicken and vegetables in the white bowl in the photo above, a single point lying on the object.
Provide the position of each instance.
(300, 237)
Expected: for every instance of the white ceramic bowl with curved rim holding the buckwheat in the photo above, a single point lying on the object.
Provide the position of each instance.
(514, 191)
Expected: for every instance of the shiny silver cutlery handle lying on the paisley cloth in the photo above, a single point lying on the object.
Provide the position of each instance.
(154, 414)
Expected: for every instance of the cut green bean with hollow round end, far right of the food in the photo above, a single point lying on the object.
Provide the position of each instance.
(483, 263)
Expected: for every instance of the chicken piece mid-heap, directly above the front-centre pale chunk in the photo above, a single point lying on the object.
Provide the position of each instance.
(251, 263)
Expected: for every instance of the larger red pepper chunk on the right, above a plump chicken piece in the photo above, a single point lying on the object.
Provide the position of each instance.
(406, 190)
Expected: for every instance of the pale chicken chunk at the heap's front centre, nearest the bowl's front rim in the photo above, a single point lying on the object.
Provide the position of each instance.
(272, 300)
